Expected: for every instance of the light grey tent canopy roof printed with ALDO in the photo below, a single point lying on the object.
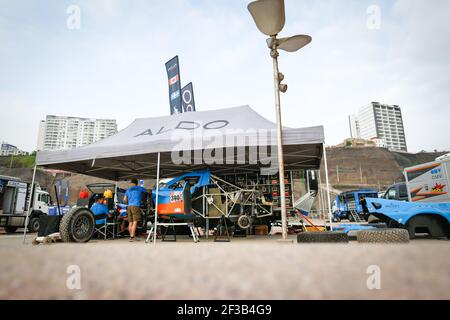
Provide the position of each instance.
(224, 135)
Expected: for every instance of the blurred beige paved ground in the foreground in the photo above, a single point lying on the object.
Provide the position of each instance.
(252, 268)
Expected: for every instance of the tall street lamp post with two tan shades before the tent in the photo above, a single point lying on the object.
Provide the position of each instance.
(269, 17)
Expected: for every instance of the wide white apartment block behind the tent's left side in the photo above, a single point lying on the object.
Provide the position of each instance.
(59, 132)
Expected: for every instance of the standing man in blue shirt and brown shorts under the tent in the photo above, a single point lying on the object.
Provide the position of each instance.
(133, 198)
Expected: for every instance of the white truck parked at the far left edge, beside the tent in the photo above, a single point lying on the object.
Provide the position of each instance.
(14, 199)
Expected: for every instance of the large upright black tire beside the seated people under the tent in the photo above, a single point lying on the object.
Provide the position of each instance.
(77, 225)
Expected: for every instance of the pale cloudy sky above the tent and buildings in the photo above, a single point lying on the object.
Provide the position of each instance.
(112, 66)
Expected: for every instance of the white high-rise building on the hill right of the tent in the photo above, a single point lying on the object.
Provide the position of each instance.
(379, 121)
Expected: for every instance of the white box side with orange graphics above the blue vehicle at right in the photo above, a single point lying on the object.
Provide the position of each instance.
(429, 182)
